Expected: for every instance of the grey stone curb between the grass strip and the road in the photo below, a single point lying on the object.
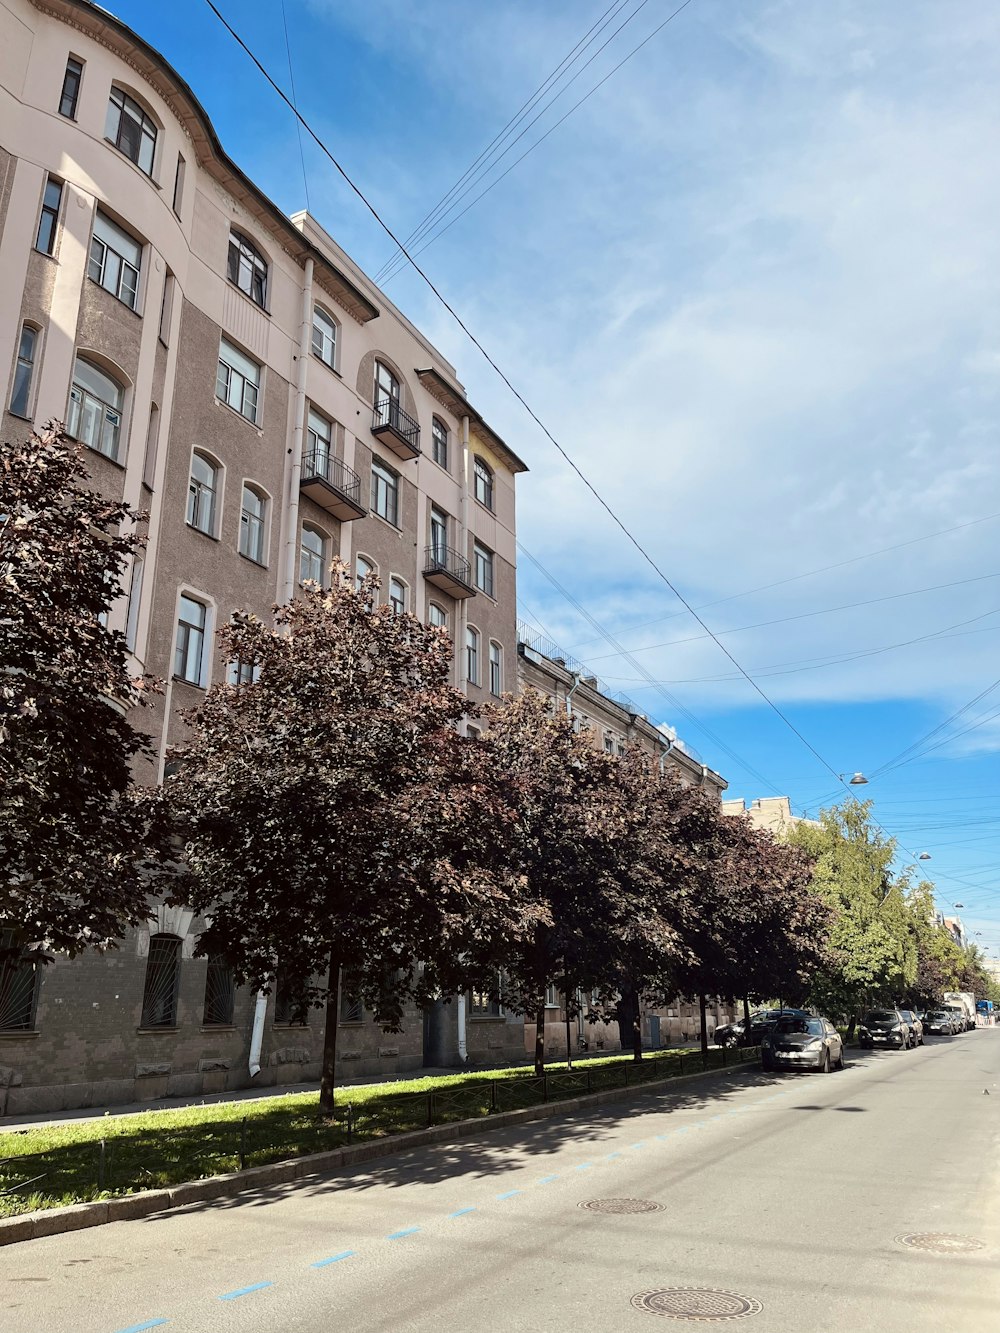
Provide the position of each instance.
(53, 1222)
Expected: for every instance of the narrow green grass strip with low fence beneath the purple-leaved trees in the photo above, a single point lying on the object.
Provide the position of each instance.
(122, 1164)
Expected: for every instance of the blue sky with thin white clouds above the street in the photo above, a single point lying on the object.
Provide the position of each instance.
(754, 287)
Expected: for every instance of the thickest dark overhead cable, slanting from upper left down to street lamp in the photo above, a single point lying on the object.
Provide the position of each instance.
(619, 523)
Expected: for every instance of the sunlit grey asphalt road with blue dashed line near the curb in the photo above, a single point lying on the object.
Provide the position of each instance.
(790, 1191)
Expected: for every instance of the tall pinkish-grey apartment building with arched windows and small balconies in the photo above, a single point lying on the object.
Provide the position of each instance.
(234, 374)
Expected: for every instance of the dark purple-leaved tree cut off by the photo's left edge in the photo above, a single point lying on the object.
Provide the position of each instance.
(73, 834)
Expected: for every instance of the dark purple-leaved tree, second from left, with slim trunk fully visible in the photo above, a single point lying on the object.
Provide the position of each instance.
(327, 812)
